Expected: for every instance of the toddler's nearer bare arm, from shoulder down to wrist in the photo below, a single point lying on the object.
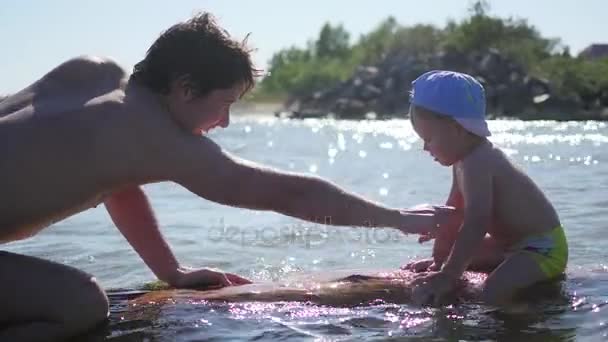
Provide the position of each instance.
(477, 197)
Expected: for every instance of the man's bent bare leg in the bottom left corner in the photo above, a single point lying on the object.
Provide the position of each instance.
(45, 301)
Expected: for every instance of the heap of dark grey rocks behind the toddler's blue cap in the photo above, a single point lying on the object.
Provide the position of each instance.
(383, 89)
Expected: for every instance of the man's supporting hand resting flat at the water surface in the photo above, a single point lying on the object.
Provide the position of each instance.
(206, 278)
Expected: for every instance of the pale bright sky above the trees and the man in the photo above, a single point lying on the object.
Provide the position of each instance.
(35, 36)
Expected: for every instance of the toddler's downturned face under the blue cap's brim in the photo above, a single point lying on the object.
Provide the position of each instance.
(441, 137)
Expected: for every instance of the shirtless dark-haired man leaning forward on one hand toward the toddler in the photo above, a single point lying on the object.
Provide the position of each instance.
(88, 133)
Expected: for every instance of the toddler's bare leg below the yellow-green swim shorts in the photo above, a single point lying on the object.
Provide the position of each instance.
(517, 272)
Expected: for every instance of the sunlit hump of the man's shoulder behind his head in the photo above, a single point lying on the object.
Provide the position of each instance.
(86, 69)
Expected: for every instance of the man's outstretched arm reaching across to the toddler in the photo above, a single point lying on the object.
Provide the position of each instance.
(215, 175)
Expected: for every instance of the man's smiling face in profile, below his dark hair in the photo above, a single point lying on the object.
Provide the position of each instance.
(200, 114)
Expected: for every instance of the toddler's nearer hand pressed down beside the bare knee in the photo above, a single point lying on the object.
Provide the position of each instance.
(432, 288)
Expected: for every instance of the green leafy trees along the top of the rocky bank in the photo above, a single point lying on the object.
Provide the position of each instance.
(330, 58)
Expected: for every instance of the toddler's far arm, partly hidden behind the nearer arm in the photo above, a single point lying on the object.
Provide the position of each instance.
(447, 233)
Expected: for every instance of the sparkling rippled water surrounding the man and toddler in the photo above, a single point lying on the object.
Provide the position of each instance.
(379, 159)
